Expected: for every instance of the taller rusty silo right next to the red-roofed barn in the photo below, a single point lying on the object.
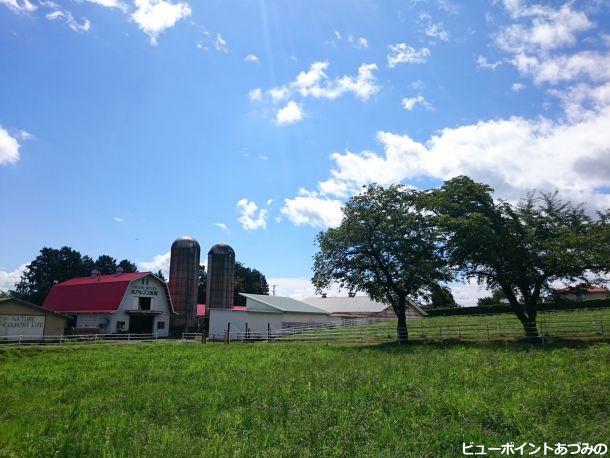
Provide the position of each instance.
(183, 279)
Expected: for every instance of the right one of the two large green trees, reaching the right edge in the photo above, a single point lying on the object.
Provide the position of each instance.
(519, 248)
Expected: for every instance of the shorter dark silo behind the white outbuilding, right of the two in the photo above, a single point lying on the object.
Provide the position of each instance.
(221, 277)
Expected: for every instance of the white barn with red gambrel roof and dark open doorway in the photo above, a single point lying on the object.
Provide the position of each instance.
(137, 303)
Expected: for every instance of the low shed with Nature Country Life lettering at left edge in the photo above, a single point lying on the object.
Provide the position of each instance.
(23, 319)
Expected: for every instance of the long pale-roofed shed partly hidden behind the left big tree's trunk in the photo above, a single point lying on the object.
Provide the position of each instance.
(361, 307)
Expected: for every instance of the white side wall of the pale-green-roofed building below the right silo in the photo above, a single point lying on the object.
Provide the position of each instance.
(257, 322)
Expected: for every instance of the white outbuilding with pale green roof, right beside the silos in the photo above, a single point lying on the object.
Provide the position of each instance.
(263, 312)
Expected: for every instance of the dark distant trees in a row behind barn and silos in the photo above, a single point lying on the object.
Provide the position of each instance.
(53, 266)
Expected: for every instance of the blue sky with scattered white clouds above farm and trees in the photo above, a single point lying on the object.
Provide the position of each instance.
(124, 125)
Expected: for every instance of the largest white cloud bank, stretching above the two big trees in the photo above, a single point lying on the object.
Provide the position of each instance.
(508, 154)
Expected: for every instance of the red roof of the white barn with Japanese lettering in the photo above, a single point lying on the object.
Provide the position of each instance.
(101, 294)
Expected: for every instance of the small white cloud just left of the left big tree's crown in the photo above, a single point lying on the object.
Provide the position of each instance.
(311, 210)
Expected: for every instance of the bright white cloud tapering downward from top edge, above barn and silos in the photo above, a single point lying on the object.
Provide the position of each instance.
(154, 16)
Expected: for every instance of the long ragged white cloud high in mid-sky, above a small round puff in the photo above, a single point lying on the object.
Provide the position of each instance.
(315, 83)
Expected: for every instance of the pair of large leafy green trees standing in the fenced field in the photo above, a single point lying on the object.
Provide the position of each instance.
(397, 242)
